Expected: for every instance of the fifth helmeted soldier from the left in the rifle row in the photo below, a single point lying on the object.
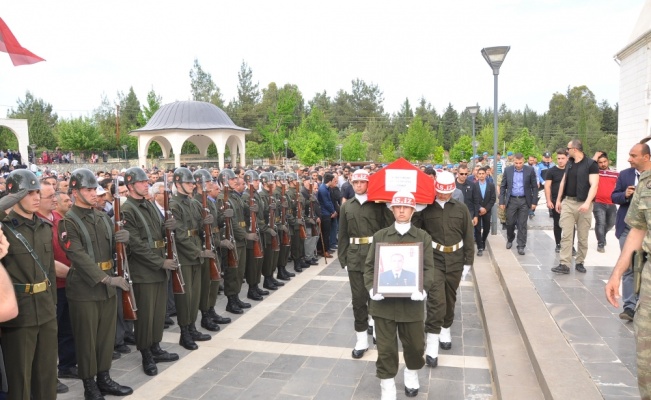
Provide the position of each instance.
(209, 287)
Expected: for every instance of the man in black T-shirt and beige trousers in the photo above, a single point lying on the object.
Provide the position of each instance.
(575, 194)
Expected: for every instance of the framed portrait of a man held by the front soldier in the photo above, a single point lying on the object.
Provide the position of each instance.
(398, 269)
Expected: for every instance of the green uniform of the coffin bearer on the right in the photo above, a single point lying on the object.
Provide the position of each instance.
(447, 227)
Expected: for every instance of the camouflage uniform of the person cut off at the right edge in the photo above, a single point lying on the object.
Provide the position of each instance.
(639, 216)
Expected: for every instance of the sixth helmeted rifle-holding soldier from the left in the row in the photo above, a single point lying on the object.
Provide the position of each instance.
(232, 186)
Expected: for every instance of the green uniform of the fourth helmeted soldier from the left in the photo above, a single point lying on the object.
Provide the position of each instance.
(188, 245)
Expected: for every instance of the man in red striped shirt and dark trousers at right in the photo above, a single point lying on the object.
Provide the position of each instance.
(604, 211)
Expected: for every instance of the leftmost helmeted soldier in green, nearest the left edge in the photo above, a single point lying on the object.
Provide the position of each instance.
(29, 341)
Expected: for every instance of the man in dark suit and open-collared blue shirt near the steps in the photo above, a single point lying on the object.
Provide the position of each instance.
(518, 190)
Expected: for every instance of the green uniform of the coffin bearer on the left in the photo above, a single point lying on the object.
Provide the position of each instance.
(359, 222)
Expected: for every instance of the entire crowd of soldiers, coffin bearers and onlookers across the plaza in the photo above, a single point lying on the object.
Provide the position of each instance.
(193, 233)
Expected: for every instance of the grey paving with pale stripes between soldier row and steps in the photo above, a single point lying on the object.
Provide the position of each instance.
(296, 344)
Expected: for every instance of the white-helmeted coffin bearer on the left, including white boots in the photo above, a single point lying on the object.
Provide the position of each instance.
(358, 221)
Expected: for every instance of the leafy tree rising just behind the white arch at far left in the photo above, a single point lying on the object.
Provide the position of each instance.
(41, 120)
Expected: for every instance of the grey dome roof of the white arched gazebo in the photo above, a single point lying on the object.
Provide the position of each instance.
(189, 115)
